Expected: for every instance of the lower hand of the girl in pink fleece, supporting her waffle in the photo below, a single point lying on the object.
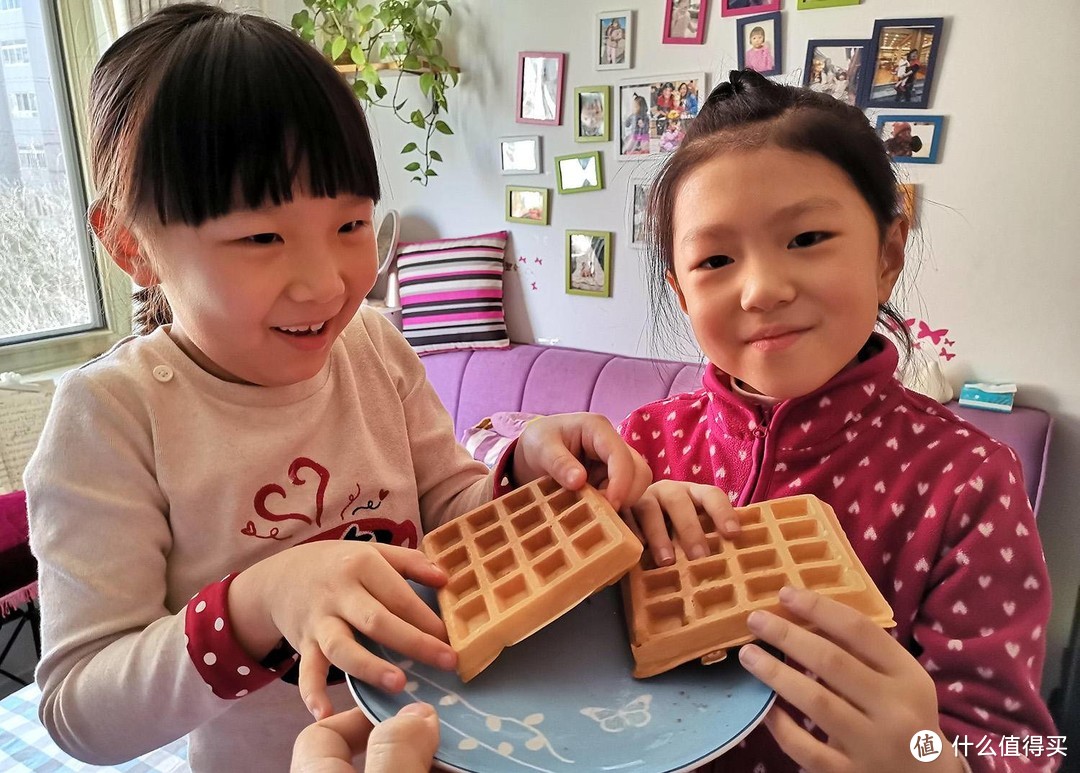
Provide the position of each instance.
(871, 697)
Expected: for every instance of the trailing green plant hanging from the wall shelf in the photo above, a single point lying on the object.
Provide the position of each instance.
(369, 42)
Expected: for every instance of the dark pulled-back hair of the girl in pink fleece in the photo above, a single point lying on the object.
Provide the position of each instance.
(749, 112)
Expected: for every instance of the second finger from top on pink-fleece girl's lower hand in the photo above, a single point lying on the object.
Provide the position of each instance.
(846, 674)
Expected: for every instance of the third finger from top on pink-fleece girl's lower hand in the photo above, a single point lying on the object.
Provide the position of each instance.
(829, 711)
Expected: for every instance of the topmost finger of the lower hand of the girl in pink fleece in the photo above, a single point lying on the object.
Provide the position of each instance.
(848, 628)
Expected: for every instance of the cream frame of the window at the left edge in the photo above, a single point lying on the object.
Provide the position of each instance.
(77, 49)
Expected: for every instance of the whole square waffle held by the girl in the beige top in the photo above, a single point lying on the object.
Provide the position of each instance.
(522, 561)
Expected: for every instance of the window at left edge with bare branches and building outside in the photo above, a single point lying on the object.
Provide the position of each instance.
(51, 289)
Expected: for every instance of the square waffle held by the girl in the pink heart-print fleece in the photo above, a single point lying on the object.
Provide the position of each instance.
(699, 608)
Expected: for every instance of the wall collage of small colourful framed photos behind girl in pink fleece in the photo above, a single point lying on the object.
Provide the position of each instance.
(892, 73)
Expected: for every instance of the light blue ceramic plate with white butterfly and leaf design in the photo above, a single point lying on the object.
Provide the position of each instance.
(564, 701)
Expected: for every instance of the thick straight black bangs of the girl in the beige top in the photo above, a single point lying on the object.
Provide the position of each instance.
(240, 113)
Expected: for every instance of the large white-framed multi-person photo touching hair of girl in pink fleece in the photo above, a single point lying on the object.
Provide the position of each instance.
(647, 106)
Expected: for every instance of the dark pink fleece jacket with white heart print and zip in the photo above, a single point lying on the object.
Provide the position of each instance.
(936, 510)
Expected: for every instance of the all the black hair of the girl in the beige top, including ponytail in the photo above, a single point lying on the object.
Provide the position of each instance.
(198, 111)
